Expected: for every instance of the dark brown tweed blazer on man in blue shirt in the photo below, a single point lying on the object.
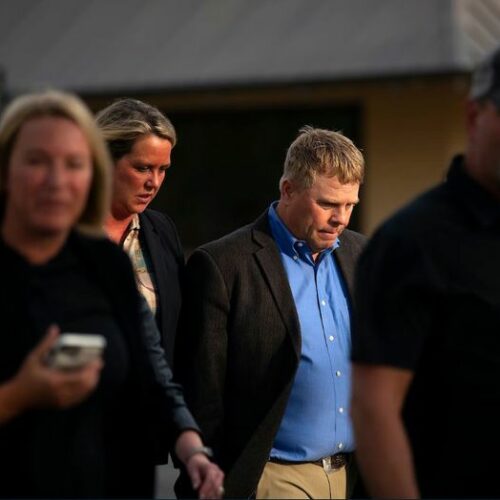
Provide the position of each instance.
(239, 346)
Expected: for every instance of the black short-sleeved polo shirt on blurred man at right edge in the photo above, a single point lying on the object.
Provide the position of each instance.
(428, 300)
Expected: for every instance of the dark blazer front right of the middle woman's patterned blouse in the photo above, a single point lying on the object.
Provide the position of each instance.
(158, 235)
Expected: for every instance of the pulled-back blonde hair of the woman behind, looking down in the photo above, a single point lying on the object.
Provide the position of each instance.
(127, 120)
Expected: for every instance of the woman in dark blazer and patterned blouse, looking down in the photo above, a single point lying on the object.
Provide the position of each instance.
(140, 139)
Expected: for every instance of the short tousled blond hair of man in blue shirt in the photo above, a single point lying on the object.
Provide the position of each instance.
(322, 152)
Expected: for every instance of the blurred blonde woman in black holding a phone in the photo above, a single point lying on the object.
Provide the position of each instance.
(85, 432)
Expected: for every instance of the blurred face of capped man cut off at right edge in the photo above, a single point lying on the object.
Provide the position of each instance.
(483, 154)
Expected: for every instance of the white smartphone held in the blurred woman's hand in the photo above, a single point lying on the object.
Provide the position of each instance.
(75, 350)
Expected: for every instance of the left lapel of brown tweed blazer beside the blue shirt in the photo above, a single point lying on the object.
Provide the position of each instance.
(274, 274)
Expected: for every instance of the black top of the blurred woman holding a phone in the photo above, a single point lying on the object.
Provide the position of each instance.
(108, 445)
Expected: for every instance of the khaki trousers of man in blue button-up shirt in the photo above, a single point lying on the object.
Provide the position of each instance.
(301, 481)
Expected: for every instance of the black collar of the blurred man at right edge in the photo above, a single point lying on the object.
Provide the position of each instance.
(481, 204)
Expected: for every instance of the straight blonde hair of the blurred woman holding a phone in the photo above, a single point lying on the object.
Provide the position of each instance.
(63, 105)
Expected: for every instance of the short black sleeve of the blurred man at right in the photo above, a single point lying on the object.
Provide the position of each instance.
(394, 302)
